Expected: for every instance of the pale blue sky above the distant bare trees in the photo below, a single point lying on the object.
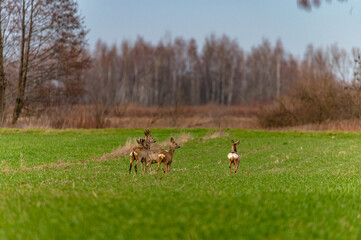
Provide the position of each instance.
(247, 21)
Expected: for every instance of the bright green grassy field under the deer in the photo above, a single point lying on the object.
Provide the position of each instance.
(291, 185)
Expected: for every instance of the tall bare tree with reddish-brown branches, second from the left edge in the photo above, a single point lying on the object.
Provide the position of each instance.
(51, 41)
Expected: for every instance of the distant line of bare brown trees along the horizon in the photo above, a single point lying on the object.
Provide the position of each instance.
(220, 72)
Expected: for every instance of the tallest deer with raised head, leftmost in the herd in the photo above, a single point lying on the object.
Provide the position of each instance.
(140, 153)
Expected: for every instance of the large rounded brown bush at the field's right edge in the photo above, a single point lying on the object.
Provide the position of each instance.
(313, 100)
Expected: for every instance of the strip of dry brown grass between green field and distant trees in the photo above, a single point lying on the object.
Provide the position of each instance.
(133, 116)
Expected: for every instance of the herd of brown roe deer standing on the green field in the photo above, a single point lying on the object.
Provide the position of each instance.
(143, 154)
